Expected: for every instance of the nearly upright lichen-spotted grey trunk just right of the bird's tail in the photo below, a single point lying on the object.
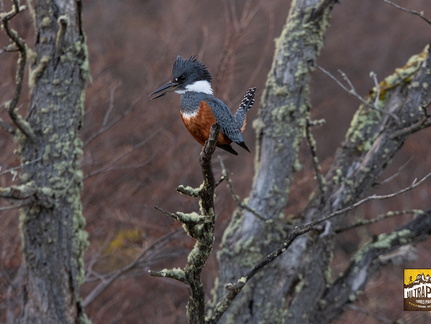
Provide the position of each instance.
(280, 129)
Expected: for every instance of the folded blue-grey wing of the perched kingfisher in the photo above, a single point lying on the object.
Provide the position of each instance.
(225, 119)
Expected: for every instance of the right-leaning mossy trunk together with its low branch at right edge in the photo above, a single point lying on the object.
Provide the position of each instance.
(371, 142)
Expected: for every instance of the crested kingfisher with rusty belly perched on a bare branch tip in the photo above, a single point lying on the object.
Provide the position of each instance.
(200, 109)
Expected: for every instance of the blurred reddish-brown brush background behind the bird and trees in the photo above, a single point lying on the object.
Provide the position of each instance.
(137, 151)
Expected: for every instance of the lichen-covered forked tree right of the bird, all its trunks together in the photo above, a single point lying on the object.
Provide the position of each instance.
(297, 287)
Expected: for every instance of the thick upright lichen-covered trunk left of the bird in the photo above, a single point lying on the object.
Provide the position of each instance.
(52, 224)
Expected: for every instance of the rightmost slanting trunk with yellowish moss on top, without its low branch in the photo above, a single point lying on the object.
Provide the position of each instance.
(368, 148)
